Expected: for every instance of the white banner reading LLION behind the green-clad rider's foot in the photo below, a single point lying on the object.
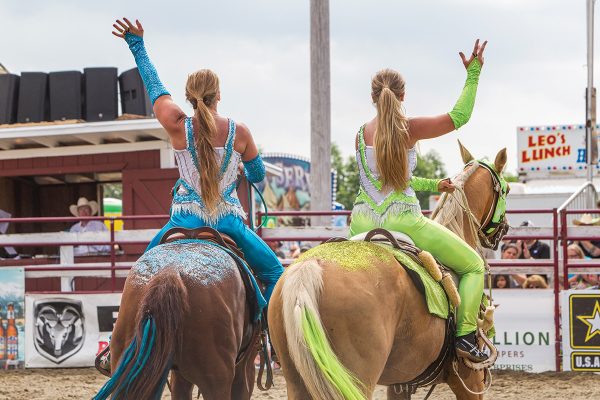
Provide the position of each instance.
(525, 333)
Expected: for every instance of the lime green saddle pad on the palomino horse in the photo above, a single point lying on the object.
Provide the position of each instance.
(437, 301)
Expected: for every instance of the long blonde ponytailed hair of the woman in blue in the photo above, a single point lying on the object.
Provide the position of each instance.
(201, 90)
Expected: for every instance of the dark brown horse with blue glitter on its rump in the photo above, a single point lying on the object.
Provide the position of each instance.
(183, 310)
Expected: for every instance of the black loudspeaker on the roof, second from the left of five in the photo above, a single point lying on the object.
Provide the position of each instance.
(33, 97)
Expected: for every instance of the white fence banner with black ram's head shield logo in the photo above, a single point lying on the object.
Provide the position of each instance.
(67, 330)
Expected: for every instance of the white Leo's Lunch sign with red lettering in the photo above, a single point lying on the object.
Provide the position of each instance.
(552, 151)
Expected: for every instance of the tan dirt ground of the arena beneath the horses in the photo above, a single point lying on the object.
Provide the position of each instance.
(82, 383)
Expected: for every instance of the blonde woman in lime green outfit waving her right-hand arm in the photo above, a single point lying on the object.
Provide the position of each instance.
(386, 157)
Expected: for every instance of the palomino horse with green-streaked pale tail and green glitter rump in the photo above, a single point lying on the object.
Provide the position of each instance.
(341, 329)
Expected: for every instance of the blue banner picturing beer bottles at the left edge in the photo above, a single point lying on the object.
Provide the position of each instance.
(12, 317)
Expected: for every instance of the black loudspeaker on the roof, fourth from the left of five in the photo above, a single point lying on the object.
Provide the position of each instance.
(100, 94)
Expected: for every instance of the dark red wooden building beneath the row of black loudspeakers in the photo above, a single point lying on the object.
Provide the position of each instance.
(46, 167)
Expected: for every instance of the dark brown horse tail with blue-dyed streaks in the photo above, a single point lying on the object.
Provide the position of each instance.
(145, 364)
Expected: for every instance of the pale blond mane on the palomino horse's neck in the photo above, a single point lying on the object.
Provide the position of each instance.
(449, 210)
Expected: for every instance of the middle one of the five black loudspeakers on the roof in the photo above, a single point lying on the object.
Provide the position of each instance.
(65, 95)
